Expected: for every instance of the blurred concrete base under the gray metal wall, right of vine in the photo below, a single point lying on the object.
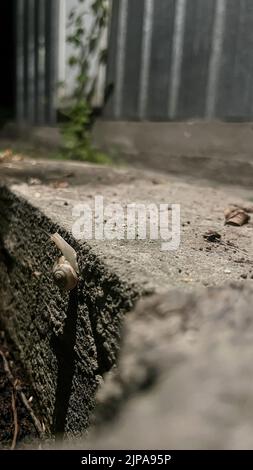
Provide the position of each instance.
(214, 150)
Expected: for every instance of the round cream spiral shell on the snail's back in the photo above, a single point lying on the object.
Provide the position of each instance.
(65, 277)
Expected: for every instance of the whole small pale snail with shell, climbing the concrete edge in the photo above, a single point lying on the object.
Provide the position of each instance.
(65, 269)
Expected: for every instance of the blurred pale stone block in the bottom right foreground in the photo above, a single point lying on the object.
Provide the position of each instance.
(185, 374)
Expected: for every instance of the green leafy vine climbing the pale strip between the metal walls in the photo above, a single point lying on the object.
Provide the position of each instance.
(79, 116)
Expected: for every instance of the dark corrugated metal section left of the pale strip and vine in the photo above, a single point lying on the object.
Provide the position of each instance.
(36, 60)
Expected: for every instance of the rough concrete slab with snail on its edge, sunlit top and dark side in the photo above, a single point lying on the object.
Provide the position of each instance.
(69, 341)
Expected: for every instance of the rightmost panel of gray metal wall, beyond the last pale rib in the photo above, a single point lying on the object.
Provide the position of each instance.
(235, 85)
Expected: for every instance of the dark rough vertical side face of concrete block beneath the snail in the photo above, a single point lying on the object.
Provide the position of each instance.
(61, 337)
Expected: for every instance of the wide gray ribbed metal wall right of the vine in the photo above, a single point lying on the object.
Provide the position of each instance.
(181, 59)
